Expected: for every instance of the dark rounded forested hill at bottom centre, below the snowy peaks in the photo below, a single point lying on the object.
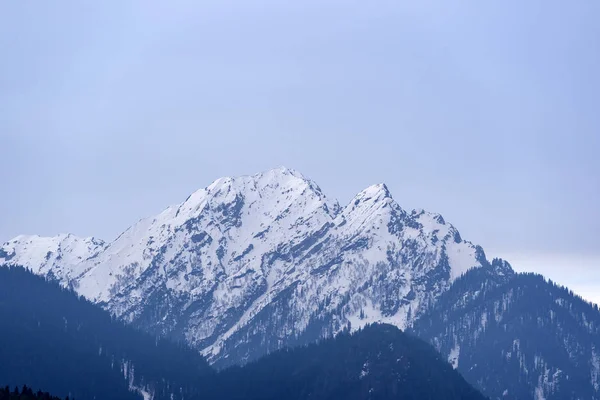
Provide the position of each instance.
(378, 362)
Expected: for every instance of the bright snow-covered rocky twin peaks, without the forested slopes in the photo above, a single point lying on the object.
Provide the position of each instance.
(252, 263)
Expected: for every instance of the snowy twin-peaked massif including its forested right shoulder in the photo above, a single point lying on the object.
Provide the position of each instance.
(250, 264)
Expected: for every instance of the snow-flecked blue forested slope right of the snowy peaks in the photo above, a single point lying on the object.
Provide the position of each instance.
(521, 337)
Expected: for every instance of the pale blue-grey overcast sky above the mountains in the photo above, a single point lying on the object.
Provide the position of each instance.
(487, 112)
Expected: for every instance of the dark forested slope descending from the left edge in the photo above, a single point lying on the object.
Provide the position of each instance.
(52, 339)
